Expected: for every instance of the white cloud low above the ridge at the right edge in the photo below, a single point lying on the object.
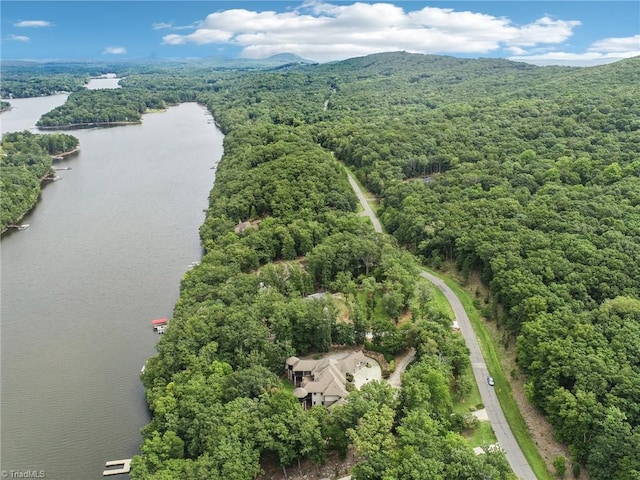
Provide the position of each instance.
(603, 51)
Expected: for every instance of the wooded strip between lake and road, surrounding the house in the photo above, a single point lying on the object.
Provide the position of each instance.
(219, 408)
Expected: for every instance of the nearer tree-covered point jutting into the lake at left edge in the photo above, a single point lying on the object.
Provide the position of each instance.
(25, 159)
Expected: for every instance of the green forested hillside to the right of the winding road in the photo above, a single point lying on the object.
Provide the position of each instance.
(530, 176)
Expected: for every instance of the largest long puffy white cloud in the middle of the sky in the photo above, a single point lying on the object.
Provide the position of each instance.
(324, 31)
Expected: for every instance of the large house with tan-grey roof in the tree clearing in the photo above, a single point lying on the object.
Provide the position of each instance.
(323, 382)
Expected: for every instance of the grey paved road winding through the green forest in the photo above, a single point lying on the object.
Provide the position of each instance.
(503, 432)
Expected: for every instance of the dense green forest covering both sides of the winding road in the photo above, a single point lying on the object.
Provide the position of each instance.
(527, 176)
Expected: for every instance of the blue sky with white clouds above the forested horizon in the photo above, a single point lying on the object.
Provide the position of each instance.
(542, 32)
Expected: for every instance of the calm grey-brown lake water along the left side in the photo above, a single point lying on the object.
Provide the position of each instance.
(104, 255)
